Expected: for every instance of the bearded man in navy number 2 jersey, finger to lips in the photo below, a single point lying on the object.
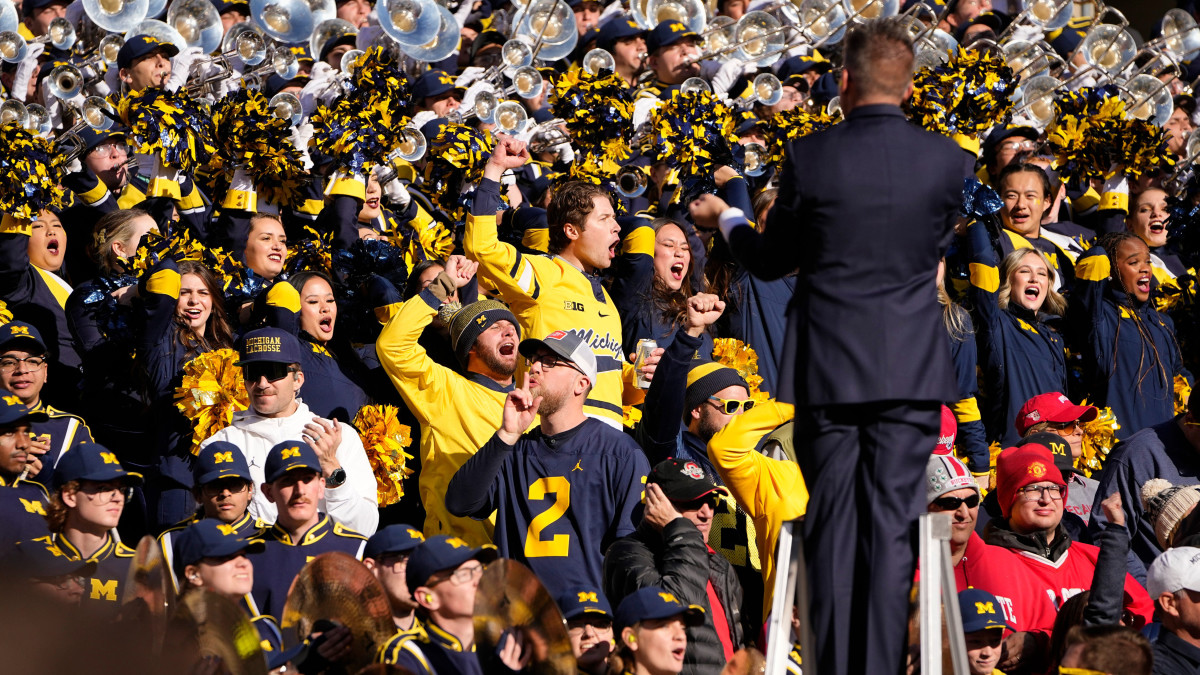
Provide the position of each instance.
(563, 492)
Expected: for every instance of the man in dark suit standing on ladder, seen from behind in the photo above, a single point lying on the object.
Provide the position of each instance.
(866, 211)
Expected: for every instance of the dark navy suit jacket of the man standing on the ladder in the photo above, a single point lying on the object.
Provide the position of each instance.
(866, 211)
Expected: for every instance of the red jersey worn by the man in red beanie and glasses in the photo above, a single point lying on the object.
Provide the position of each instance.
(1031, 589)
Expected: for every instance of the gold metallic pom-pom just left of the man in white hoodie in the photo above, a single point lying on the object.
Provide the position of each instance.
(213, 391)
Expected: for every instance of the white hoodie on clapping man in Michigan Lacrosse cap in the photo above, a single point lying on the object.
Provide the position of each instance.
(356, 504)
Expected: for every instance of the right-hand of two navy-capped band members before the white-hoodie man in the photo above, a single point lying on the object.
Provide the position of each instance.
(302, 531)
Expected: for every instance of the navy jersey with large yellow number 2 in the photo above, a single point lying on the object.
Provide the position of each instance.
(560, 500)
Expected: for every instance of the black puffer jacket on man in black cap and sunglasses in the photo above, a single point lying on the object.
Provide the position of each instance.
(677, 560)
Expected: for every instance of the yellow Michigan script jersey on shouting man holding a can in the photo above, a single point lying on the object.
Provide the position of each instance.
(549, 295)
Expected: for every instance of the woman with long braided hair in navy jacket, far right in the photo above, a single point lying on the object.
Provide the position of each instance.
(1131, 356)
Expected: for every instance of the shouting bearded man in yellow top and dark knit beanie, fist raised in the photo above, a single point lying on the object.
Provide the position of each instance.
(458, 414)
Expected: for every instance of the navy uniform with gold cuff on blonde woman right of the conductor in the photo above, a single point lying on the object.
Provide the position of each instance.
(1022, 356)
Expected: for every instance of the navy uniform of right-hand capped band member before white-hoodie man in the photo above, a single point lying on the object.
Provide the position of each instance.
(279, 565)
